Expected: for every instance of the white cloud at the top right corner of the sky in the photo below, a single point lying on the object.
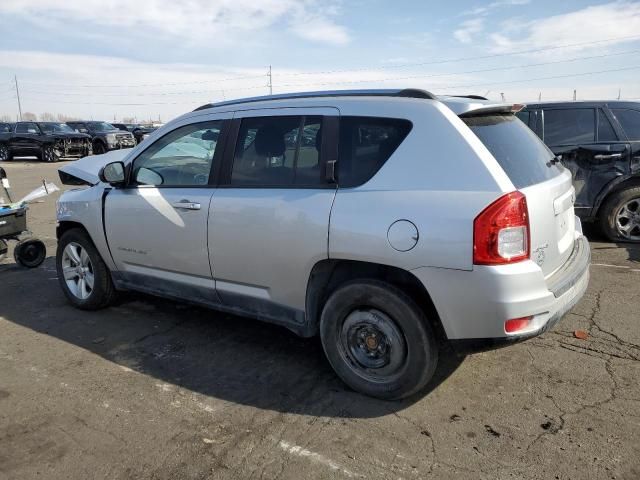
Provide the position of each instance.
(601, 22)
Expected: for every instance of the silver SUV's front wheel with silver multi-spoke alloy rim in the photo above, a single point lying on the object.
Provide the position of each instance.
(83, 275)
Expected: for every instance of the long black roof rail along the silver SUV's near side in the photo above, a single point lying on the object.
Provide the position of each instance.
(407, 92)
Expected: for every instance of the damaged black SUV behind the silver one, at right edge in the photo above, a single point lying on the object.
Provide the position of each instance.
(600, 143)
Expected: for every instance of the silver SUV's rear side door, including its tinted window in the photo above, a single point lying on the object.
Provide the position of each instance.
(270, 218)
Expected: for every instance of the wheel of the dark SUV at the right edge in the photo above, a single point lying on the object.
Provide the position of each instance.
(620, 216)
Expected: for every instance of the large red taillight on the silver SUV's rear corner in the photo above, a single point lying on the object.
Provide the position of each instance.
(501, 231)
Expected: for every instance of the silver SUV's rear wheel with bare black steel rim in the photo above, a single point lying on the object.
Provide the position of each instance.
(378, 340)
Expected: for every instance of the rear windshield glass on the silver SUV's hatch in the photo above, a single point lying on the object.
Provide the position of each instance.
(520, 153)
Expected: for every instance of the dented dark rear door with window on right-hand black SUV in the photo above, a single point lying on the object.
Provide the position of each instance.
(588, 145)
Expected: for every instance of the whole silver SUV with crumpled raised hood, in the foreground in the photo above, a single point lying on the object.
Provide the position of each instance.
(386, 221)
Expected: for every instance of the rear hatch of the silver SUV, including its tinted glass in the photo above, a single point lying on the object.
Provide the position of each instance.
(534, 172)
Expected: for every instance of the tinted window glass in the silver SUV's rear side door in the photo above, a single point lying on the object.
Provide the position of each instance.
(278, 151)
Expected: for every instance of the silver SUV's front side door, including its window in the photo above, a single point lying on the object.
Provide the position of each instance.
(157, 226)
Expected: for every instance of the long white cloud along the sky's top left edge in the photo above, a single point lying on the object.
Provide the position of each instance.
(191, 19)
